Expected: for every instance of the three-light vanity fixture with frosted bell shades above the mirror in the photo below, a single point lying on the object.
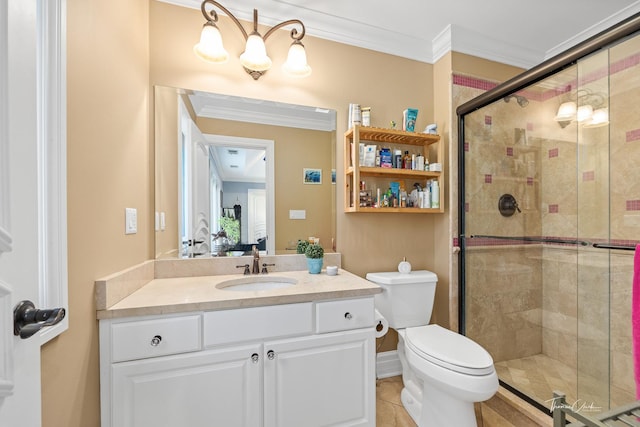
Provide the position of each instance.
(255, 60)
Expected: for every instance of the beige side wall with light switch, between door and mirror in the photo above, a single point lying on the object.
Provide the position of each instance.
(108, 169)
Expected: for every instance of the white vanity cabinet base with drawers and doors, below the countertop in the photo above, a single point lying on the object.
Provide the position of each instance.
(304, 364)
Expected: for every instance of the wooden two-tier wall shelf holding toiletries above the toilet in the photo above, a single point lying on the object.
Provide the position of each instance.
(393, 139)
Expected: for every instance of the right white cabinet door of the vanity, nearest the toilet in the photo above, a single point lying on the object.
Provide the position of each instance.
(323, 380)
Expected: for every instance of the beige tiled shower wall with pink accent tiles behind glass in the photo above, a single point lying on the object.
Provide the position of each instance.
(572, 305)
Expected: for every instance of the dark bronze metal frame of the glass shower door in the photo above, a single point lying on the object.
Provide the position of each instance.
(570, 57)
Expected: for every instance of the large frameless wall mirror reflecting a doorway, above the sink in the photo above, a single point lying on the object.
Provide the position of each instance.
(235, 172)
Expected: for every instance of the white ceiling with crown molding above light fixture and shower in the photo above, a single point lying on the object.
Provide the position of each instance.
(515, 32)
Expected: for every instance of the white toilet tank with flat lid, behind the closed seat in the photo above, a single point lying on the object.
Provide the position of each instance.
(407, 298)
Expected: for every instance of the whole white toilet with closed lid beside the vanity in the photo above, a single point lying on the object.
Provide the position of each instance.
(443, 372)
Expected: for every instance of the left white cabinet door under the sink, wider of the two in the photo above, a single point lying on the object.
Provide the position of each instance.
(209, 388)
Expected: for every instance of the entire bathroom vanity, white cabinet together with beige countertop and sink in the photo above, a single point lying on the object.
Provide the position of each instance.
(198, 352)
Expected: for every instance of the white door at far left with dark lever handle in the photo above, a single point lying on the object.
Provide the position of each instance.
(30, 116)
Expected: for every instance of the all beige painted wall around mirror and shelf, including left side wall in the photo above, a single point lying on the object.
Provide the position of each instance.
(117, 52)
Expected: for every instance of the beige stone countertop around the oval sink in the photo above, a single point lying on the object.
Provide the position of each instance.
(199, 293)
